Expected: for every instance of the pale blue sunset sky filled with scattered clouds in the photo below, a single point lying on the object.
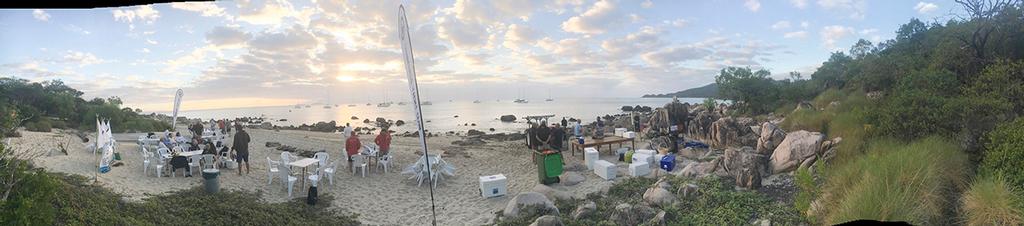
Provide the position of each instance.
(263, 54)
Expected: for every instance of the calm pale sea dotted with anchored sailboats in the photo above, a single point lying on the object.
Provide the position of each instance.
(441, 116)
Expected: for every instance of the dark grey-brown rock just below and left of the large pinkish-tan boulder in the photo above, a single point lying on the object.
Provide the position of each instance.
(746, 166)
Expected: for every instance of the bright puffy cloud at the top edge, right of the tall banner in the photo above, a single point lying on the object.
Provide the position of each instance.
(603, 17)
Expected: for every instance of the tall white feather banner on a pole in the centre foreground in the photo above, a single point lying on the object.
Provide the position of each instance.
(407, 52)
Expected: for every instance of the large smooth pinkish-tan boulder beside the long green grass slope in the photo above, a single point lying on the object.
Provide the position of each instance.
(797, 148)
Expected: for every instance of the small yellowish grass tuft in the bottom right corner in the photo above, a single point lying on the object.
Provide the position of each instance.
(991, 201)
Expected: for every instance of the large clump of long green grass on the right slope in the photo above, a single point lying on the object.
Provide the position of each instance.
(897, 183)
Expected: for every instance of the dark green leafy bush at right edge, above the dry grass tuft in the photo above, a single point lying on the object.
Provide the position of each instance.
(1004, 154)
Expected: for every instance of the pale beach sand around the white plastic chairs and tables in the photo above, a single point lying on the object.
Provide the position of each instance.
(379, 199)
